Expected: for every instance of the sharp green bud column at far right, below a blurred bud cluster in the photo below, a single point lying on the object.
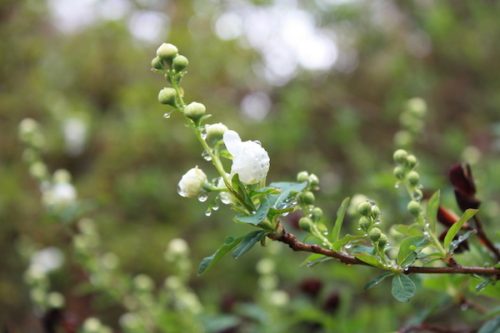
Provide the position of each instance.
(405, 172)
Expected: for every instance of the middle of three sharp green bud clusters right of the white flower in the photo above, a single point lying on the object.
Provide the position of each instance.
(369, 220)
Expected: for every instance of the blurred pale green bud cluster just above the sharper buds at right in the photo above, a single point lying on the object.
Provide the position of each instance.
(412, 122)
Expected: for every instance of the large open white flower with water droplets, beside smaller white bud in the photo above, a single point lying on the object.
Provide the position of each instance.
(250, 160)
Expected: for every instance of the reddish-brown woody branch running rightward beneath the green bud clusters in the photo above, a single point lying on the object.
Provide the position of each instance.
(281, 235)
